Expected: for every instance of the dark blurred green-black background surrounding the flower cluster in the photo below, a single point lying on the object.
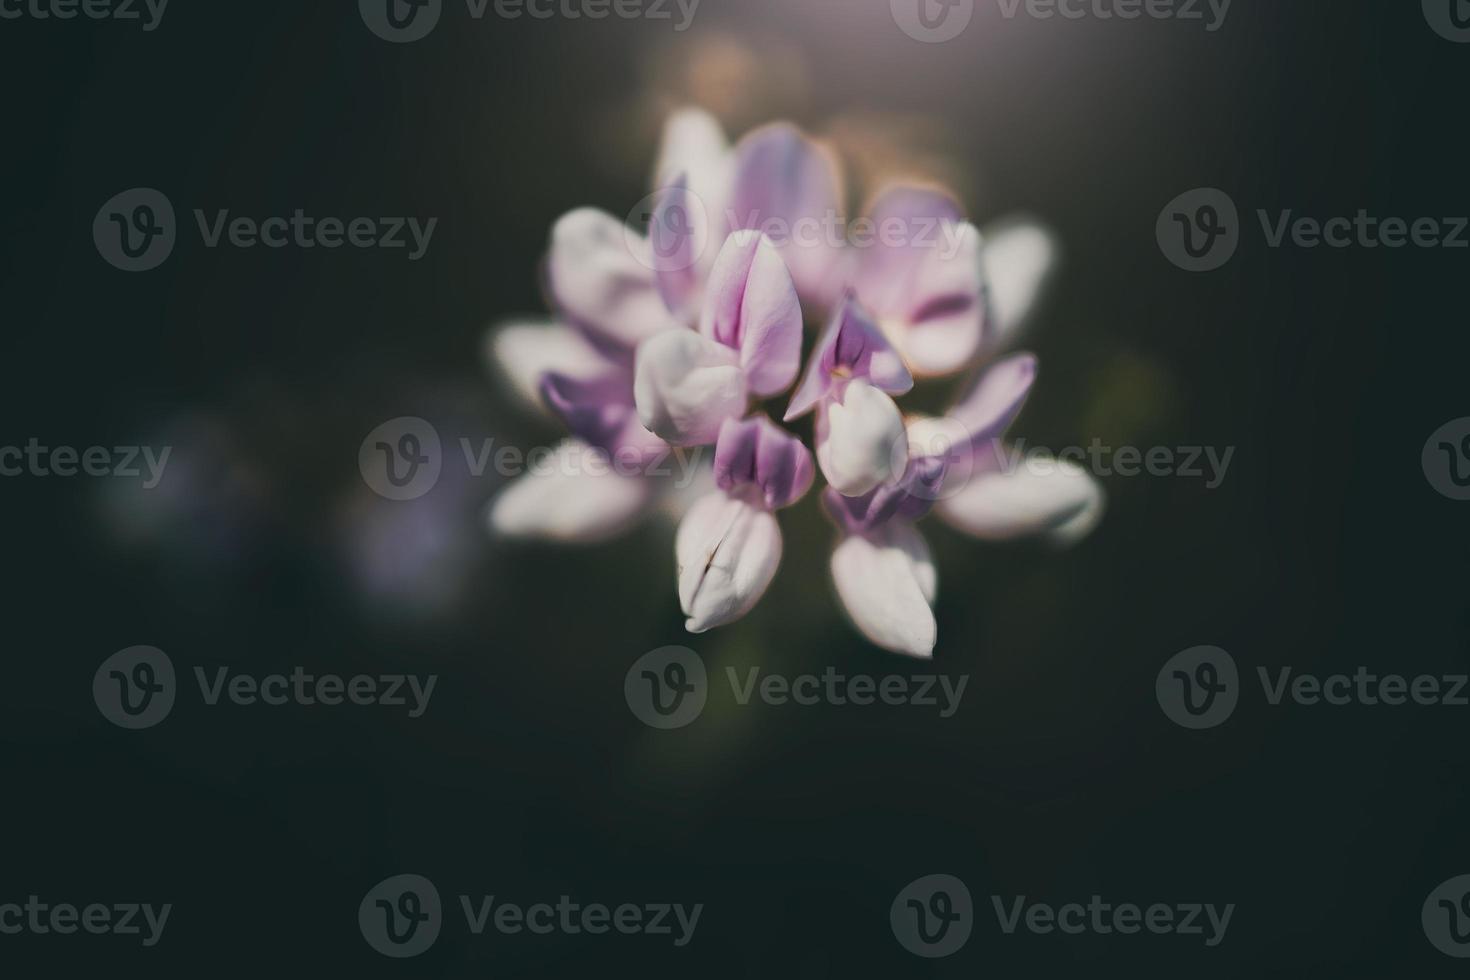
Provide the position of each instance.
(262, 550)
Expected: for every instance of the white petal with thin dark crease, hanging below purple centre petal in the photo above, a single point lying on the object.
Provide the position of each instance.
(727, 552)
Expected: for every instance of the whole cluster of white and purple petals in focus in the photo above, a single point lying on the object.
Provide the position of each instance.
(675, 339)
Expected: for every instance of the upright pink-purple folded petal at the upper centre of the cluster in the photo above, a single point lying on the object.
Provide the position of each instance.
(752, 308)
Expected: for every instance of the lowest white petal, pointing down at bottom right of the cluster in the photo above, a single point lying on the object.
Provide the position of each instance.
(887, 584)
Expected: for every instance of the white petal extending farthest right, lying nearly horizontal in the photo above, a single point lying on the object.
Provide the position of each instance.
(1030, 497)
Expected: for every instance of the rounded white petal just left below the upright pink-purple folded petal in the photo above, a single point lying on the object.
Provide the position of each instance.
(686, 387)
